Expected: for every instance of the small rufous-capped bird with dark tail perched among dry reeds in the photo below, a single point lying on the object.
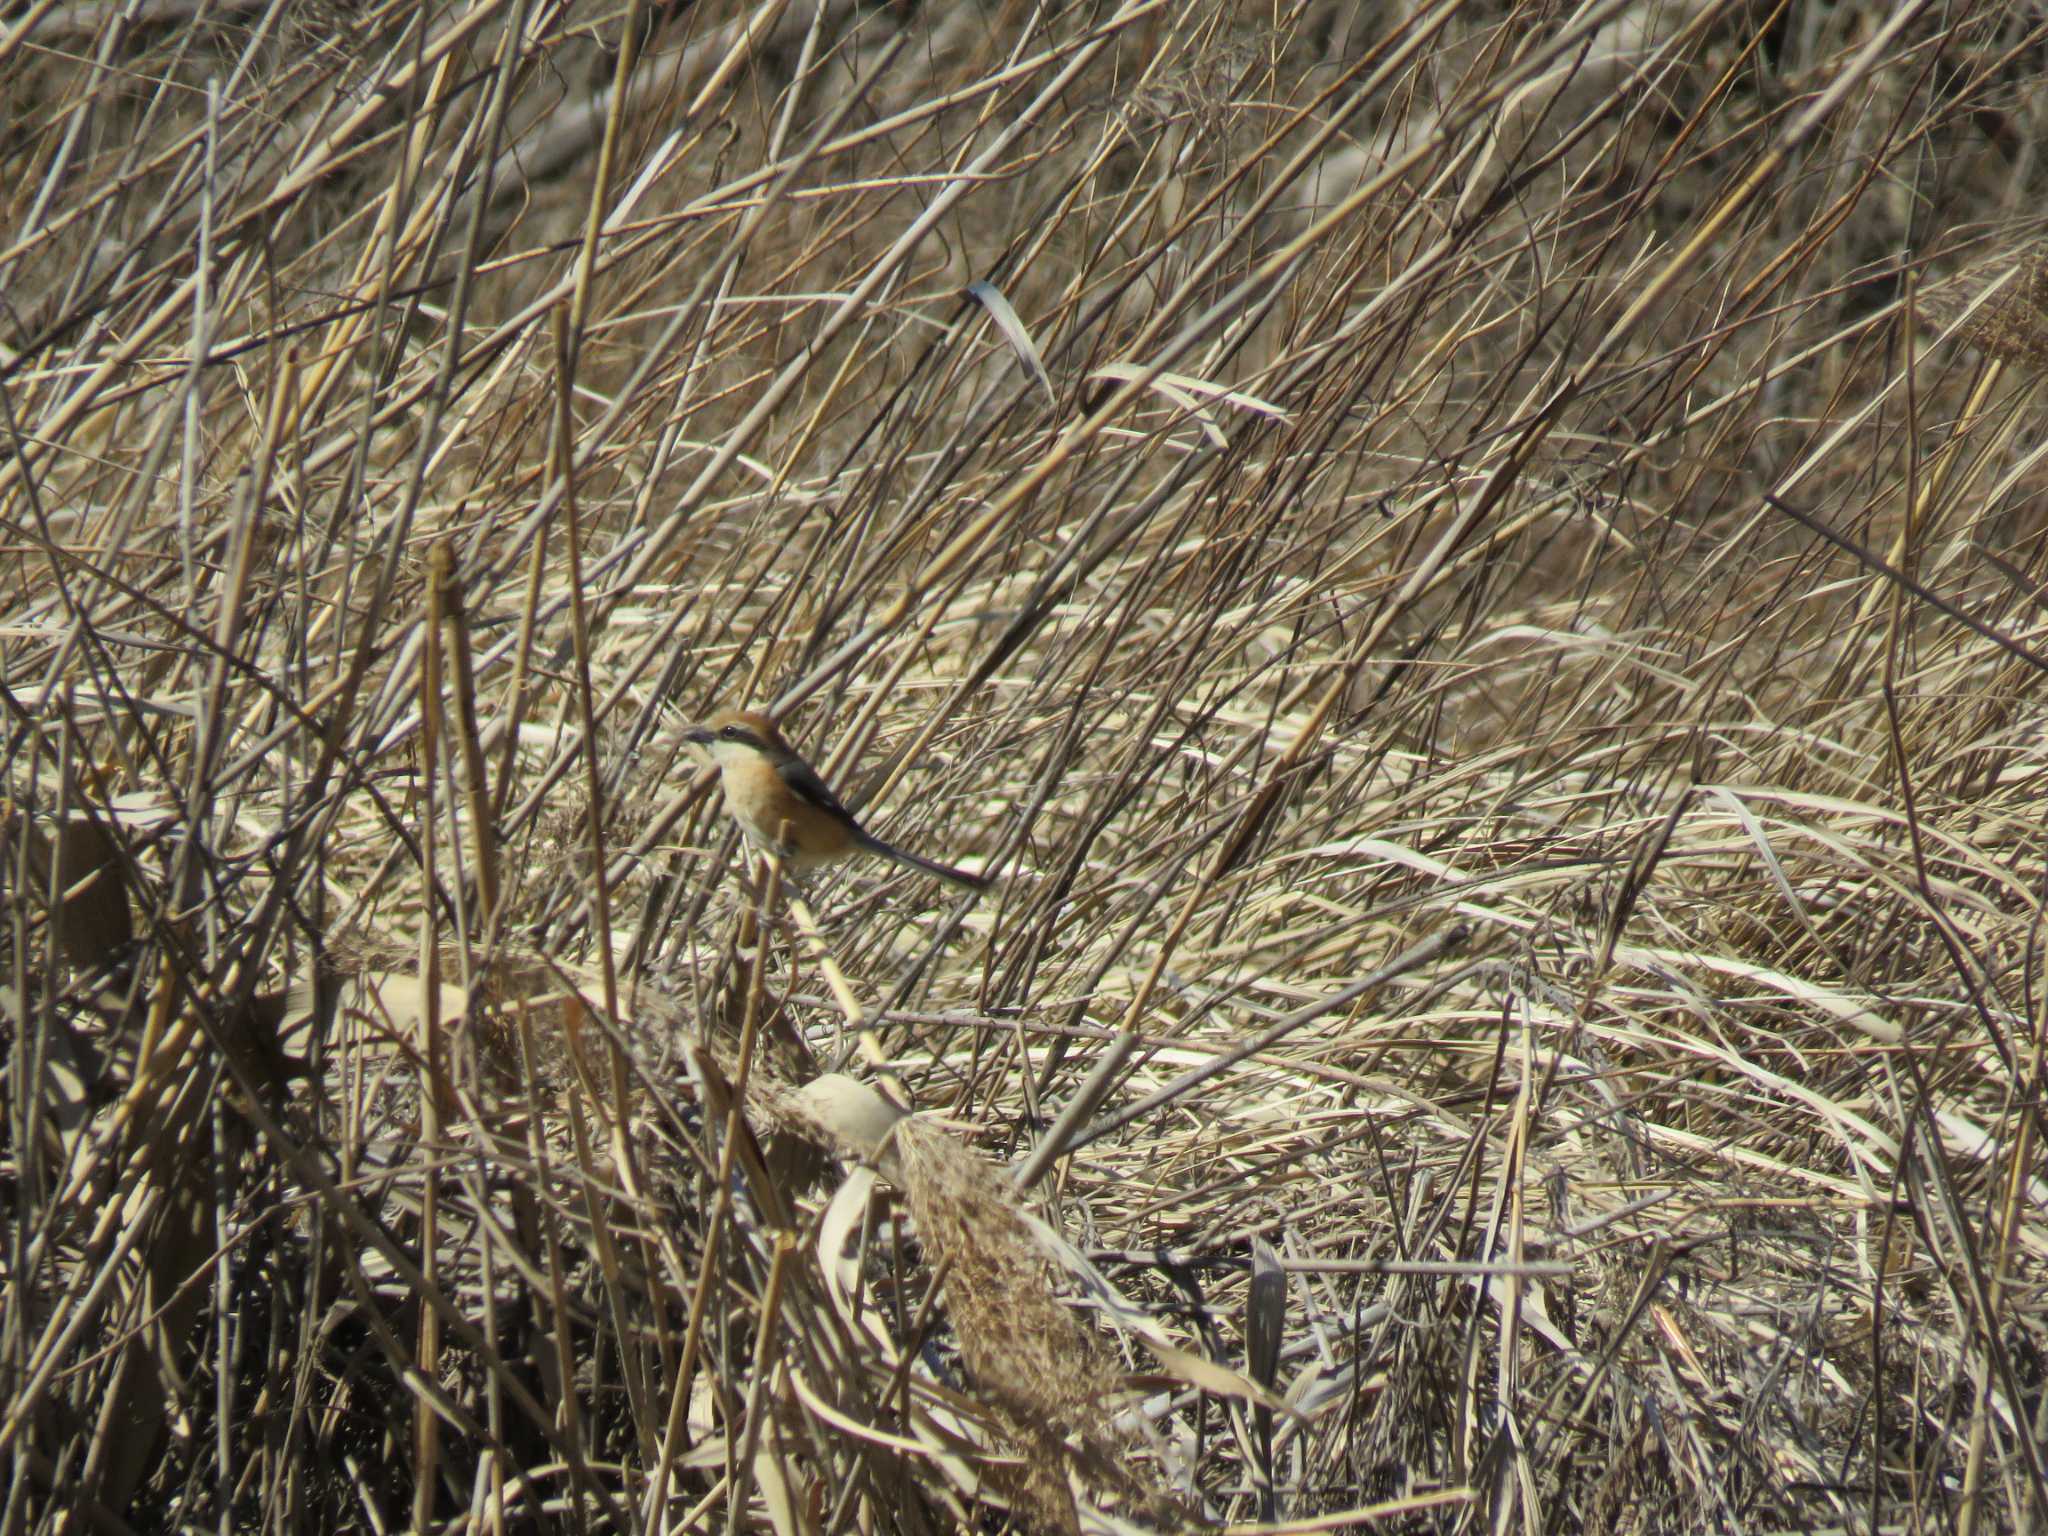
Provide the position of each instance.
(785, 808)
